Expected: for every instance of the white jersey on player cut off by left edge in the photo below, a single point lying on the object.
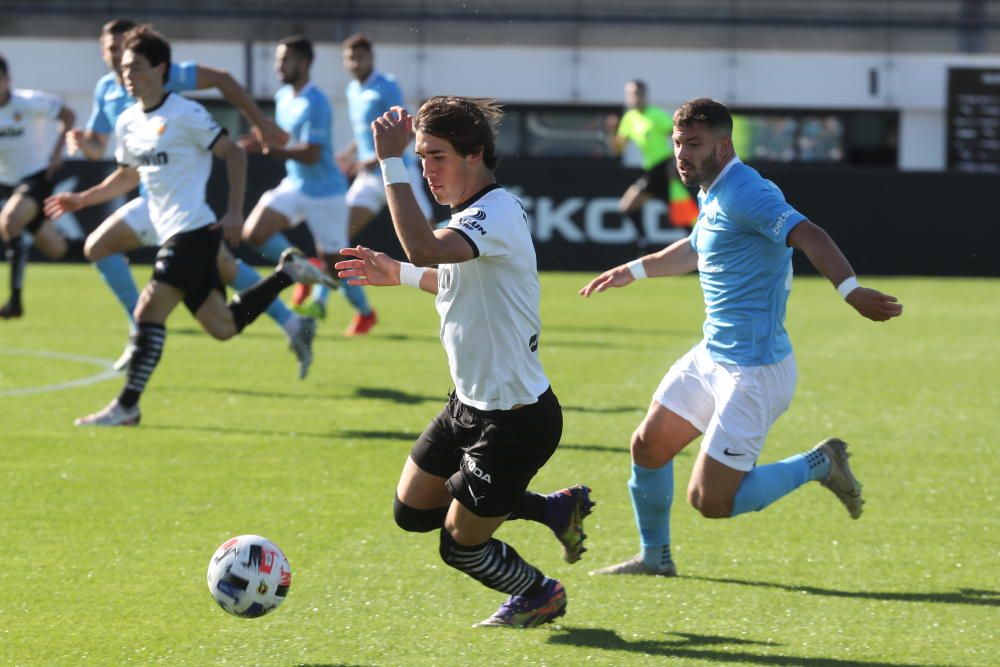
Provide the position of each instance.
(26, 138)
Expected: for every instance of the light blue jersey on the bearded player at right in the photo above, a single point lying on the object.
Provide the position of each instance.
(745, 266)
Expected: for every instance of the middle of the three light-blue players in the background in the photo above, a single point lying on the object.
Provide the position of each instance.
(313, 188)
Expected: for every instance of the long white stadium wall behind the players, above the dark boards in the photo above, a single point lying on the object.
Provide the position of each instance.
(914, 84)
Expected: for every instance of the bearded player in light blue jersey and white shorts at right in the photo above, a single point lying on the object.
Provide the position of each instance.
(734, 384)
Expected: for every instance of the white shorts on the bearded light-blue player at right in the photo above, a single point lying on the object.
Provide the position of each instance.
(734, 406)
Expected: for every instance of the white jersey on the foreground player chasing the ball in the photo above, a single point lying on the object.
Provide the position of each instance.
(489, 307)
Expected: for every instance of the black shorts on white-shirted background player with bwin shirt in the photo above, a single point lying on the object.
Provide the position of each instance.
(189, 262)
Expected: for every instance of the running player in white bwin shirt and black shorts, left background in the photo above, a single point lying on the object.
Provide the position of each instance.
(167, 142)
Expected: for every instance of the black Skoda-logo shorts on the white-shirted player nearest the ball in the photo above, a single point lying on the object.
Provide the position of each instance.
(489, 456)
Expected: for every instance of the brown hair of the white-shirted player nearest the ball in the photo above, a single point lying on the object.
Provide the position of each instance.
(467, 123)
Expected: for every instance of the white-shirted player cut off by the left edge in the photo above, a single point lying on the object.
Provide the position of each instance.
(28, 162)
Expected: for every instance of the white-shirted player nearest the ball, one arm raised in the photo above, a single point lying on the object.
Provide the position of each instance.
(469, 470)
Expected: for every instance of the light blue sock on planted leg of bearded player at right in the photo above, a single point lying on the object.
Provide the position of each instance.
(652, 491)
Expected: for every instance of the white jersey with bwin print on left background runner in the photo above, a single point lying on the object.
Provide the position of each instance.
(170, 146)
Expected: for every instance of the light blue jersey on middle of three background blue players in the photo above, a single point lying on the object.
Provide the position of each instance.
(308, 118)
